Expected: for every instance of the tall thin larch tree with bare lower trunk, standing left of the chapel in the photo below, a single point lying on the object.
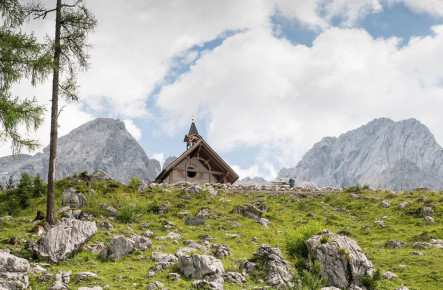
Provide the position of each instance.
(73, 23)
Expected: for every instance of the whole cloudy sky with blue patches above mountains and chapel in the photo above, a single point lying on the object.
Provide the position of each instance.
(265, 79)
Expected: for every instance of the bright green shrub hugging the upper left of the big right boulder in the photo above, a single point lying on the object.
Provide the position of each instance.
(295, 243)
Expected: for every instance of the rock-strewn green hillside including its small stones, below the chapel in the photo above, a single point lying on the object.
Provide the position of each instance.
(168, 221)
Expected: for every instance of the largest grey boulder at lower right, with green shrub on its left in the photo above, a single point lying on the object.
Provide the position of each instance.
(344, 263)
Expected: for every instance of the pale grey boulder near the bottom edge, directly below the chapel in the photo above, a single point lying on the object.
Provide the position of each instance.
(199, 266)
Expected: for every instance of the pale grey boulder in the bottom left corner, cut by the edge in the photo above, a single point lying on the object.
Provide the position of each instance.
(13, 272)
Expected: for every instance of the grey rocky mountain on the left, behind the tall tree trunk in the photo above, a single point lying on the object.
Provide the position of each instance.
(99, 144)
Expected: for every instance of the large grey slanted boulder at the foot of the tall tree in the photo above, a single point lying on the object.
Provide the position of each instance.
(63, 240)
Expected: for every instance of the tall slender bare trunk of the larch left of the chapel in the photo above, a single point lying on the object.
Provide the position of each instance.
(50, 207)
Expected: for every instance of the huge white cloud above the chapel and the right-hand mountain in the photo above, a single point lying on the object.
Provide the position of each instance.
(257, 89)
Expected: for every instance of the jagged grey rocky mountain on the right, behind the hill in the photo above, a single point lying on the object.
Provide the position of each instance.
(383, 153)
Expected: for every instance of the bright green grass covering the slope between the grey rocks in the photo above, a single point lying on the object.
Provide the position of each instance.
(289, 214)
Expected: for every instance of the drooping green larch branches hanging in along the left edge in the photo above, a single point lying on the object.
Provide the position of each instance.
(21, 56)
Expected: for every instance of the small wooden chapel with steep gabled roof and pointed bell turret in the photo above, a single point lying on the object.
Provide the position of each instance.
(198, 164)
